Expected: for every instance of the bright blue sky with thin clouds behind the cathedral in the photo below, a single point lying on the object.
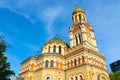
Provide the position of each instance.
(28, 24)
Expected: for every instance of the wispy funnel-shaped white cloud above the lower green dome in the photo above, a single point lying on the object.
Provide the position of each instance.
(49, 15)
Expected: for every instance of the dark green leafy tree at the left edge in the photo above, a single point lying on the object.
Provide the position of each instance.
(5, 71)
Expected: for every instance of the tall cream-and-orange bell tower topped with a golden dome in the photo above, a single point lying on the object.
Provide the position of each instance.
(81, 32)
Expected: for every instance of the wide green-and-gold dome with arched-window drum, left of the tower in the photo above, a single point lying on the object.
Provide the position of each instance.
(55, 45)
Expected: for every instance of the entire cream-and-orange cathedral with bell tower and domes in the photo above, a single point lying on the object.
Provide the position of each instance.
(81, 60)
